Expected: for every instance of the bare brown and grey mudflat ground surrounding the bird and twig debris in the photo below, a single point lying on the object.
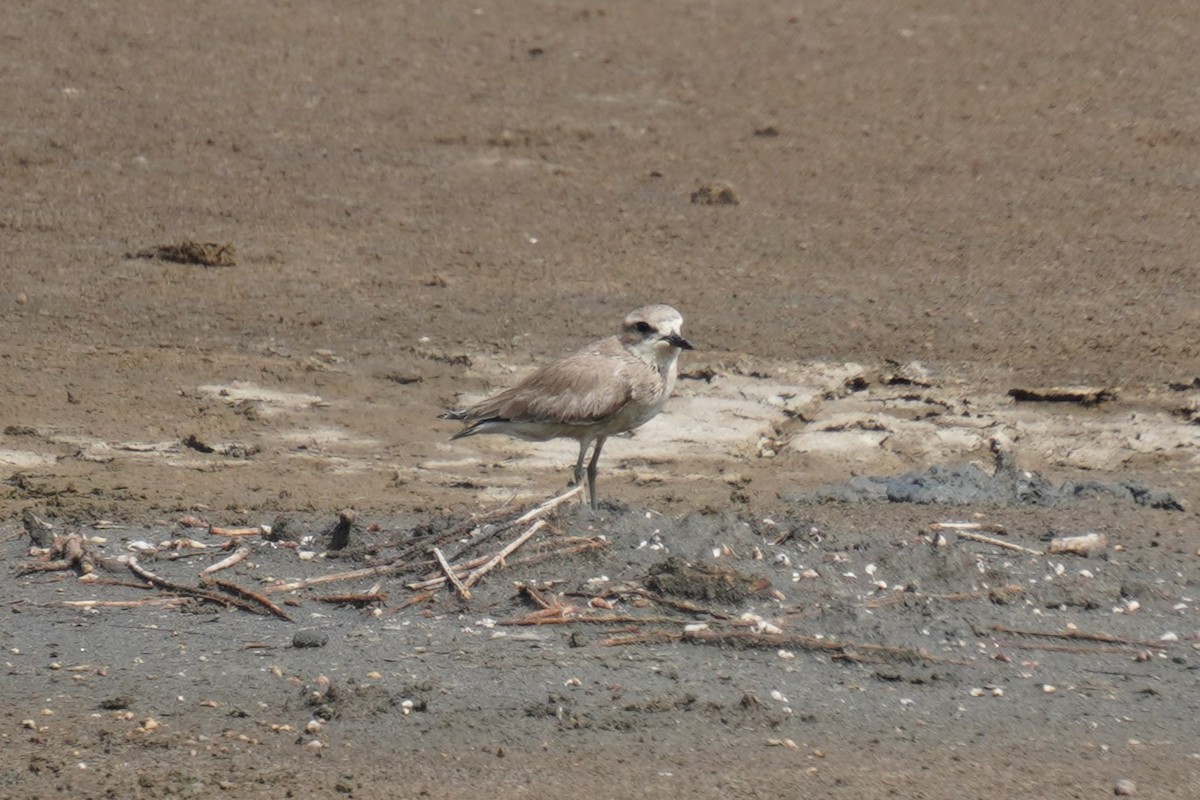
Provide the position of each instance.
(938, 203)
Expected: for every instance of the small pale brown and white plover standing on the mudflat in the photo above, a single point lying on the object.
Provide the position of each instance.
(607, 388)
